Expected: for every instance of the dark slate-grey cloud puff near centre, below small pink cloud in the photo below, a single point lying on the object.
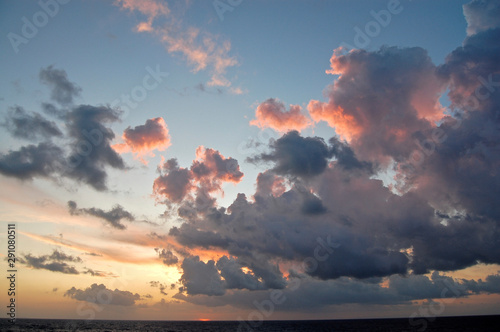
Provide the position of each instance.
(295, 155)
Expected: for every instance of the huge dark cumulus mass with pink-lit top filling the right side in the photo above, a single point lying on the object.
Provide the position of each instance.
(321, 215)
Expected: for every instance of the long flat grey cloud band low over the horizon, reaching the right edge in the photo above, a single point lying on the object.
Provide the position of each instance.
(307, 294)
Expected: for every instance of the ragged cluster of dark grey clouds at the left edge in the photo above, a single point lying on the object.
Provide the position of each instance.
(83, 153)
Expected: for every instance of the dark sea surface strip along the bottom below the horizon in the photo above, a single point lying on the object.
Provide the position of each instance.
(455, 324)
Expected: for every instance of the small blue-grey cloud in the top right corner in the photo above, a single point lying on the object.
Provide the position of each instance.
(481, 15)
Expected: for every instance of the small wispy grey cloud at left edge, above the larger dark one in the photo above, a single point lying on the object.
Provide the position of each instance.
(22, 124)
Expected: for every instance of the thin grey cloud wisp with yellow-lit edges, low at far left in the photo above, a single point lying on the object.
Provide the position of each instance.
(56, 262)
